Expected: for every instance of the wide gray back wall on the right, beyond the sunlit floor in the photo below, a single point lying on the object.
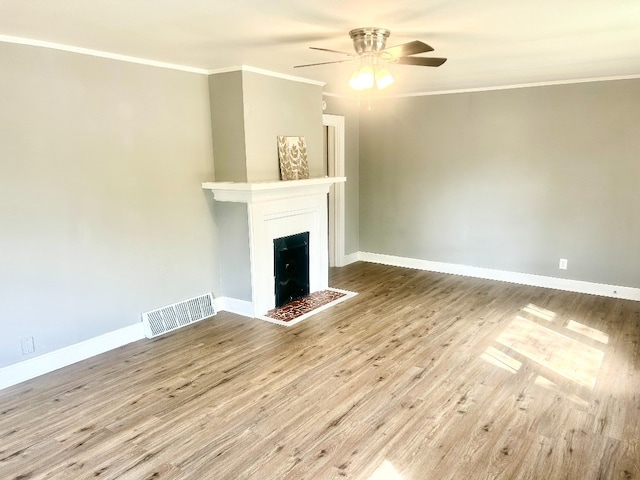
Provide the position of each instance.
(510, 179)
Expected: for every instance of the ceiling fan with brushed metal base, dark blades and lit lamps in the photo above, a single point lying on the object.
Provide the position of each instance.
(371, 51)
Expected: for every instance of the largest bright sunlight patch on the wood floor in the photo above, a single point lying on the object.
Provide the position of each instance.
(565, 356)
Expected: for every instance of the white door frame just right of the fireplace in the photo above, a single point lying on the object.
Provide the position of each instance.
(337, 257)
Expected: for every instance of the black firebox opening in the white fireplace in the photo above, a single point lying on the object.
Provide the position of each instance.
(291, 267)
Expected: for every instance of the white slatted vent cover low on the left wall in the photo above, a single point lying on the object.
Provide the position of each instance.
(165, 319)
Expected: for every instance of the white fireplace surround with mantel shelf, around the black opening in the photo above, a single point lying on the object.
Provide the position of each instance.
(278, 209)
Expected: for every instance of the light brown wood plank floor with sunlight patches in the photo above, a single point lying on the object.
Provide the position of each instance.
(420, 376)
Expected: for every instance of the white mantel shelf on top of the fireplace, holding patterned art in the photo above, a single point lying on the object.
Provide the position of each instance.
(242, 192)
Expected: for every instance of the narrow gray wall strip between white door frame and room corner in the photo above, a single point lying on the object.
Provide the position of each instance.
(348, 108)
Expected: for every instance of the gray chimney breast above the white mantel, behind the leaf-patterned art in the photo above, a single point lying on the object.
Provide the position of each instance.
(248, 111)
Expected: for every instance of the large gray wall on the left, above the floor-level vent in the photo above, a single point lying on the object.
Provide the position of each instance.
(101, 212)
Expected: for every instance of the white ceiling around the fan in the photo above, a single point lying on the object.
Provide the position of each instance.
(488, 43)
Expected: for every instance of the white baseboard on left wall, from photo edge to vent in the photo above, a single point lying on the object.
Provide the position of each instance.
(48, 362)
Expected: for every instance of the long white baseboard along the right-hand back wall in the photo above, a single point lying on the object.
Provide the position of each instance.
(579, 286)
